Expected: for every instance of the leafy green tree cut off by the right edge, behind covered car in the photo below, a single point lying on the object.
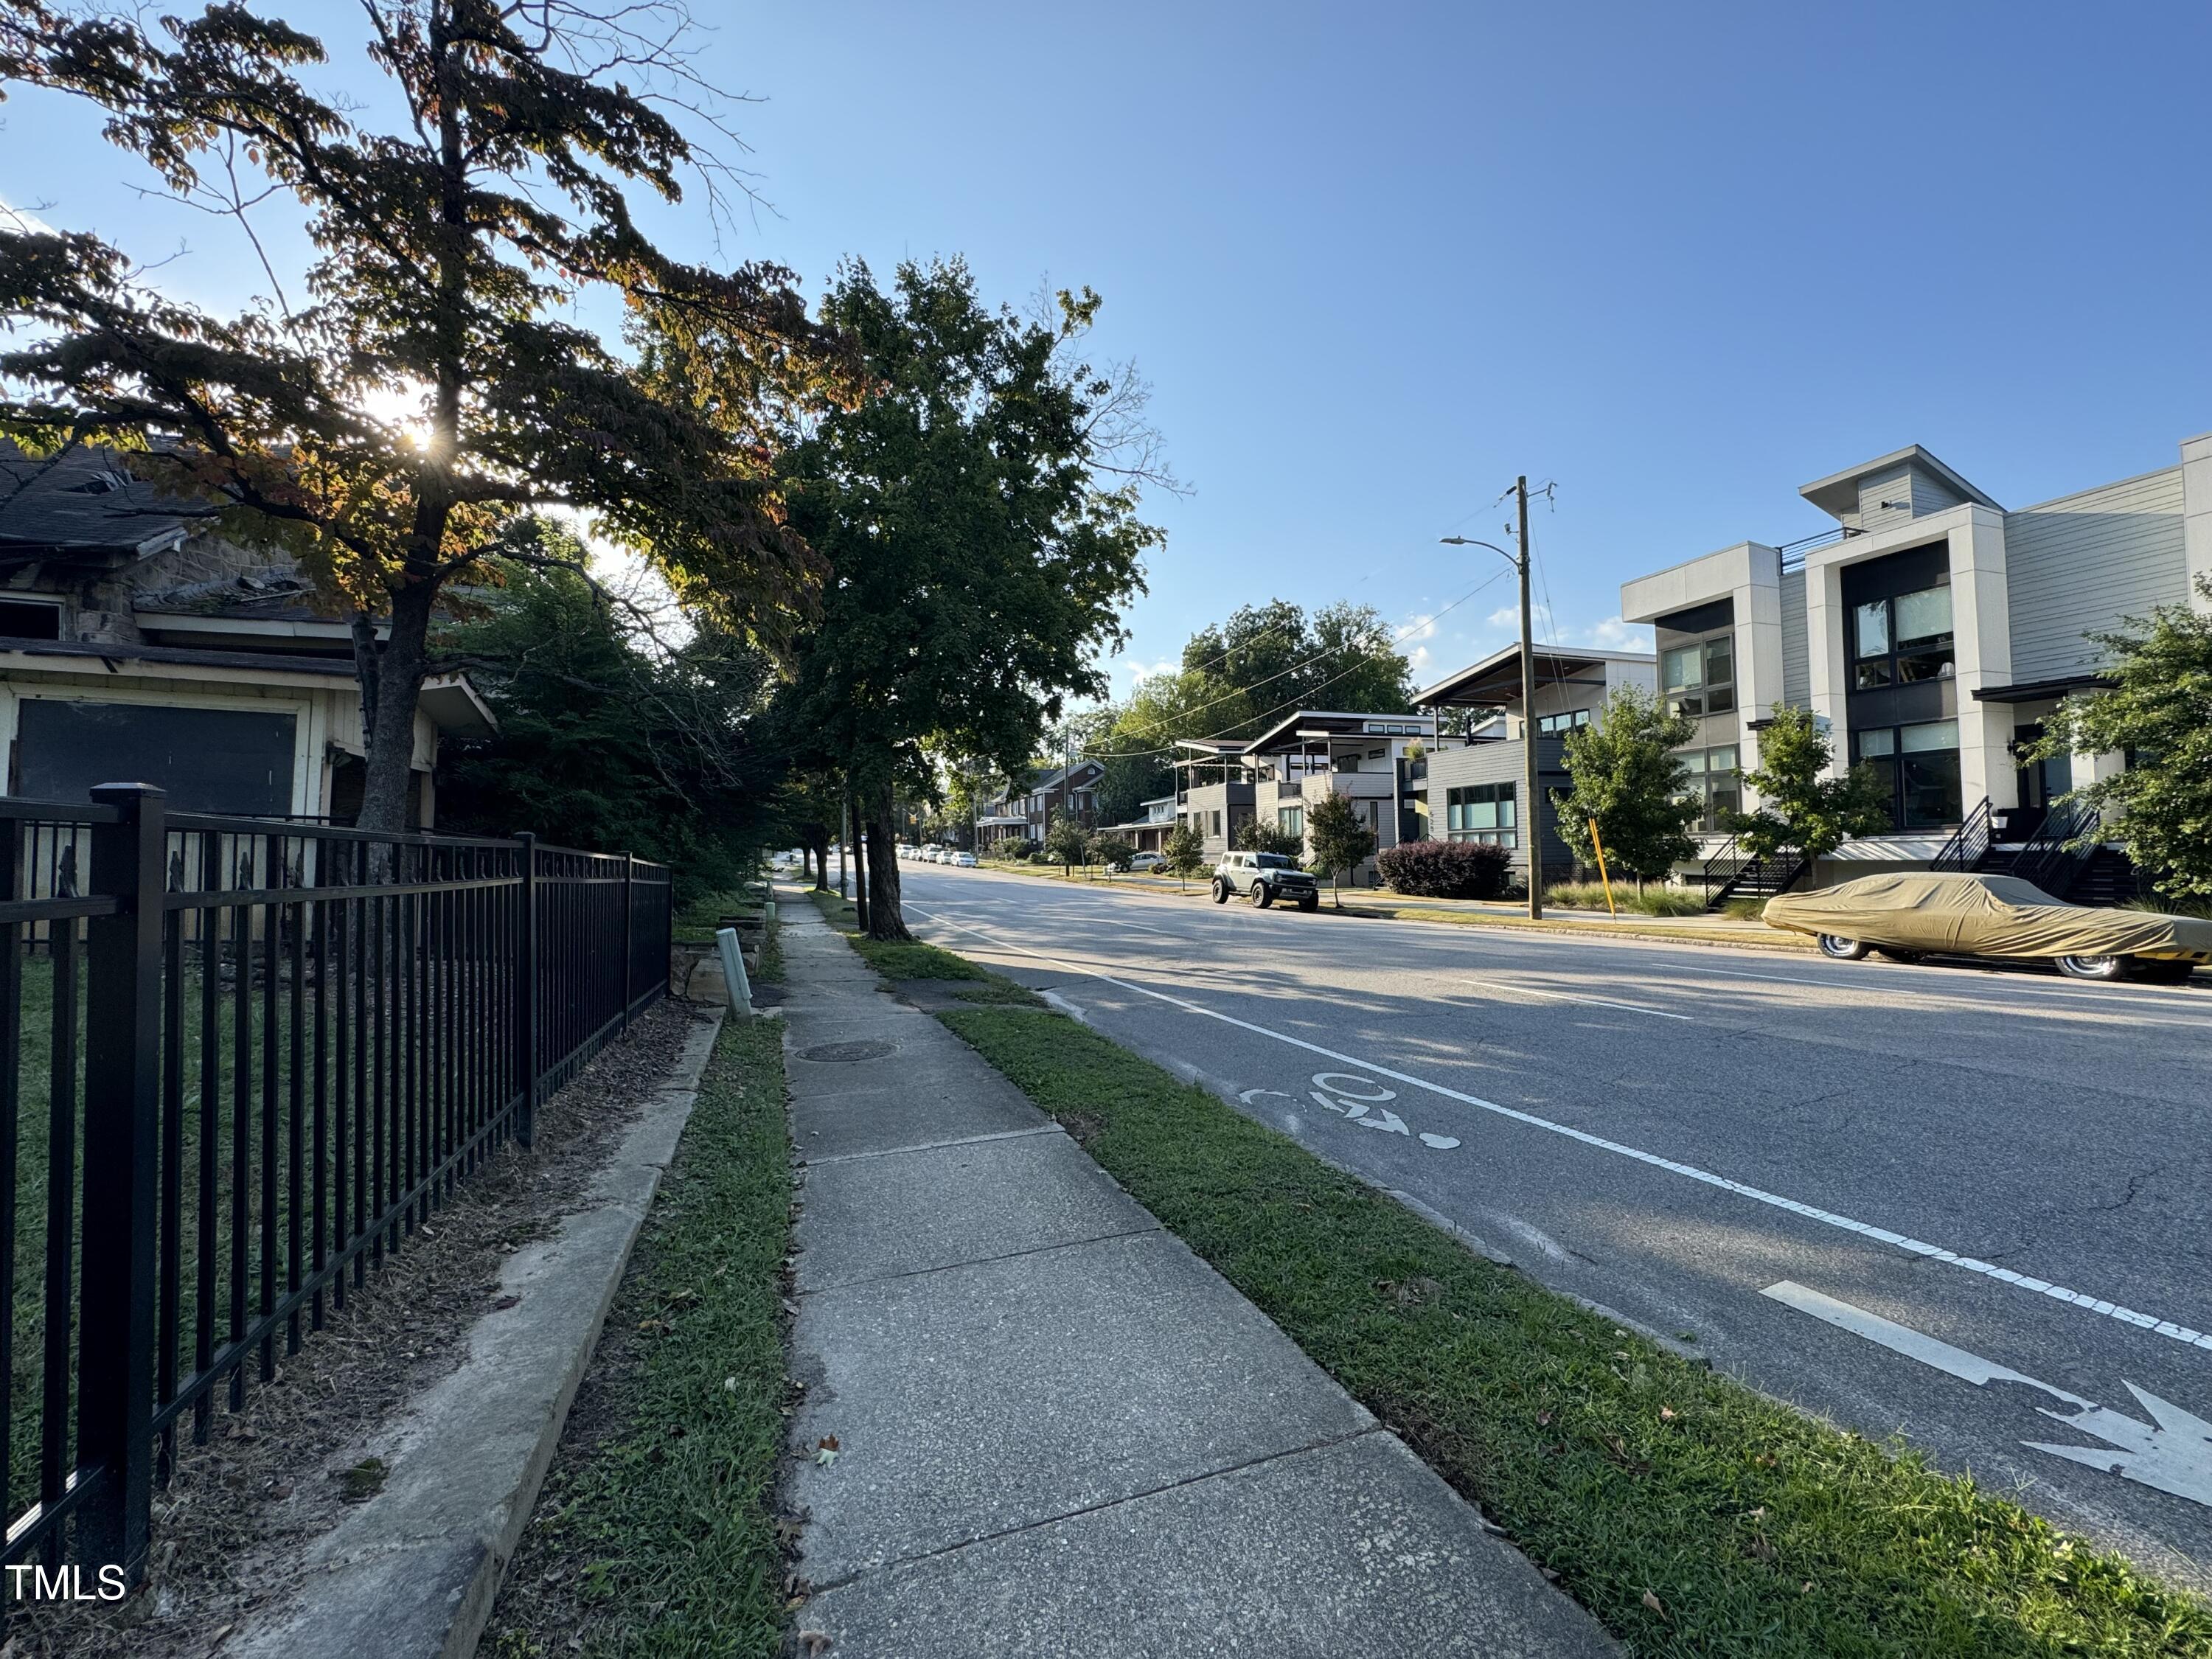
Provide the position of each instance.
(2160, 711)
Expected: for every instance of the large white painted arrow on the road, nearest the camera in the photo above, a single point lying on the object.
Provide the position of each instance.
(2171, 1454)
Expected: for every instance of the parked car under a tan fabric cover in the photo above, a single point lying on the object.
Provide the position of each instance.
(1994, 917)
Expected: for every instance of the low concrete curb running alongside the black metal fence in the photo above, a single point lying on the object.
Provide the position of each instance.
(415, 1572)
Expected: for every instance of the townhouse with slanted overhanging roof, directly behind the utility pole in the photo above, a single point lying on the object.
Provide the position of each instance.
(1474, 789)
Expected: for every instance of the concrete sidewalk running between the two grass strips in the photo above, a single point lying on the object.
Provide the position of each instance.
(1056, 1430)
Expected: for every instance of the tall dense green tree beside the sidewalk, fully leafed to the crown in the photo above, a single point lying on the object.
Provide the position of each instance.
(981, 514)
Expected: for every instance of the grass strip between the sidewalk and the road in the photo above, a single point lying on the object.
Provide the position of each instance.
(1691, 1514)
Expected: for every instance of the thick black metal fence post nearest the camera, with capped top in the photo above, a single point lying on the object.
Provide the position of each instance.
(123, 1081)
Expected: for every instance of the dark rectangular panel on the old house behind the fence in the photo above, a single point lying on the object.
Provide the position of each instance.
(209, 760)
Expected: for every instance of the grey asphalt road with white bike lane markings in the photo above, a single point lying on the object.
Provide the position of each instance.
(1963, 1207)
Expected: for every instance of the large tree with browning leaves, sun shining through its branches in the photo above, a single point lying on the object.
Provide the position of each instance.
(426, 379)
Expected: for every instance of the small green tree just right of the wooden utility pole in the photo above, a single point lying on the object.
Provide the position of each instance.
(1631, 782)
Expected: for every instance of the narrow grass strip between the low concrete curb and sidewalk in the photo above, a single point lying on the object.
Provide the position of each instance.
(656, 1532)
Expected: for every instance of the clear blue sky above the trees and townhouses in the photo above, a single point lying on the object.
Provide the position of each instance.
(1381, 260)
